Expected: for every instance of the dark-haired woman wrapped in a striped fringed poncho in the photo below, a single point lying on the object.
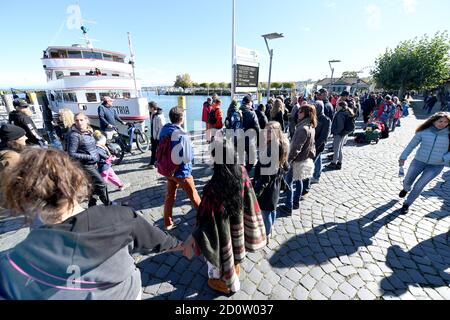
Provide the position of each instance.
(229, 221)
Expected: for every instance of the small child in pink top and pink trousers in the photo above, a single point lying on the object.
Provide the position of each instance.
(105, 163)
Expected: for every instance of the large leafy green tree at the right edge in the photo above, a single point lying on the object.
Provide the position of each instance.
(414, 64)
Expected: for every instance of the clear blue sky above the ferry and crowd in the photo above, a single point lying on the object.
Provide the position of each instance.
(181, 36)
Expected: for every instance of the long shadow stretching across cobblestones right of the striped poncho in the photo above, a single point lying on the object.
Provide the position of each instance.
(332, 240)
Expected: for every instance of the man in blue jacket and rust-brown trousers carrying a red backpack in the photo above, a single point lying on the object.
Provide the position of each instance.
(183, 175)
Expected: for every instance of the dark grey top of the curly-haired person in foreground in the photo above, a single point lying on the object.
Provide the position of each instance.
(86, 257)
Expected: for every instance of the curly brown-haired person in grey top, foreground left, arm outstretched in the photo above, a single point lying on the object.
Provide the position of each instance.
(77, 254)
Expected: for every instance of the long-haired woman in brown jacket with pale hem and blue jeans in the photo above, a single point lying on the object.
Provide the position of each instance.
(301, 156)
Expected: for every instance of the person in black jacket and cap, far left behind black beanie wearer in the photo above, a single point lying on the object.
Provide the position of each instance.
(21, 117)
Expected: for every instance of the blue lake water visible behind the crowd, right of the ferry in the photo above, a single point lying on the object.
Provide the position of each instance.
(194, 106)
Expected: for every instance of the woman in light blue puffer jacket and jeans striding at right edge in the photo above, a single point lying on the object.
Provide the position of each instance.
(433, 155)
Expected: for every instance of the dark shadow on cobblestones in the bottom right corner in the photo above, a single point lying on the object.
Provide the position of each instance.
(423, 265)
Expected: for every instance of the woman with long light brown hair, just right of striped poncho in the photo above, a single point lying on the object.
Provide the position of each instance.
(270, 171)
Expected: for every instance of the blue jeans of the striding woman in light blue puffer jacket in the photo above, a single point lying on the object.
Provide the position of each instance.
(428, 173)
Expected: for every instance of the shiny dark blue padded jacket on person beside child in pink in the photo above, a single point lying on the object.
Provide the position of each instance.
(83, 147)
